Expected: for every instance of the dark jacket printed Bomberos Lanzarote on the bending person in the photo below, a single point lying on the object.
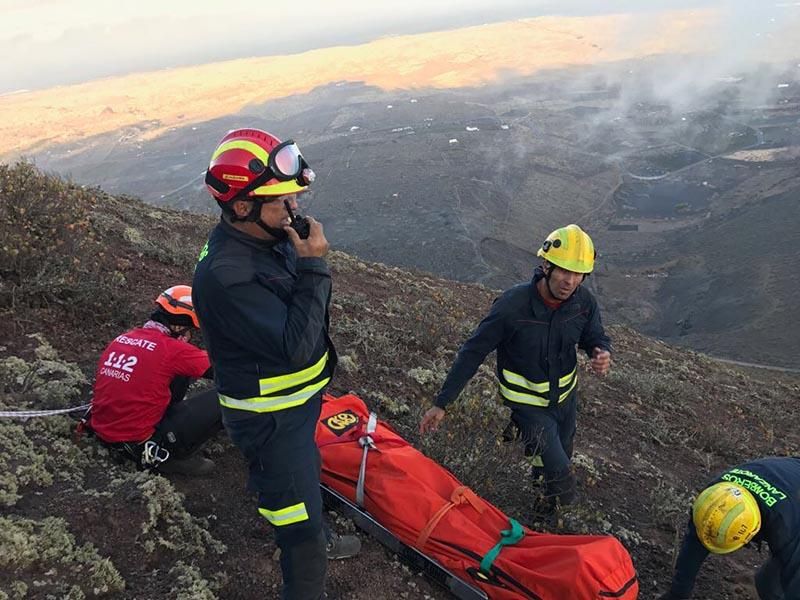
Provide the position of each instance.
(775, 484)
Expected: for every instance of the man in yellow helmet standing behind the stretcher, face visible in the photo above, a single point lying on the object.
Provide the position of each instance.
(535, 328)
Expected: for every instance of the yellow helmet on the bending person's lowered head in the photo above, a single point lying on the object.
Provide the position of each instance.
(726, 517)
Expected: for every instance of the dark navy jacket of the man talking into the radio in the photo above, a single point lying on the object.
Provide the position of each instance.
(263, 310)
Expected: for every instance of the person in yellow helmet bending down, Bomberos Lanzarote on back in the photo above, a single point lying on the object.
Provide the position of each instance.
(754, 501)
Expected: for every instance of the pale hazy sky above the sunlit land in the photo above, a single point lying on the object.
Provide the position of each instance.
(54, 42)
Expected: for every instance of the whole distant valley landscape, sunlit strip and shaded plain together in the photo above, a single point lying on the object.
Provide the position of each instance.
(672, 137)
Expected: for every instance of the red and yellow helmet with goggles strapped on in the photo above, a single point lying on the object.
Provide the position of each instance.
(252, 162)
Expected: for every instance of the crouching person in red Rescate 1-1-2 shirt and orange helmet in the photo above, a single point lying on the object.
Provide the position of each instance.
(142, 377)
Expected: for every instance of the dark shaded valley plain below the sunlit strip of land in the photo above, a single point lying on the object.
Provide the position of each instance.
(465, 183)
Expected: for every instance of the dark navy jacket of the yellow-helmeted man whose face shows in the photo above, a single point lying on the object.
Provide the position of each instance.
(531, 339)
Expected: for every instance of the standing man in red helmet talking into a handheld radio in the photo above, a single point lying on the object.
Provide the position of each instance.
(262, 290)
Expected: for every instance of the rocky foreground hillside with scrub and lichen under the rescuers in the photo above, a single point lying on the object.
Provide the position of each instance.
(77, 266)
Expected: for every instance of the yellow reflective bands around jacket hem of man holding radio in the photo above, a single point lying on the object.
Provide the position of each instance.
(273, 385)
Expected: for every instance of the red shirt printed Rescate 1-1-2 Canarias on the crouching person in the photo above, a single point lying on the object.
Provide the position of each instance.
(131, 390)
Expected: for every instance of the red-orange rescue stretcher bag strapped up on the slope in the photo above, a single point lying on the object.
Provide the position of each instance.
(420, 510)
